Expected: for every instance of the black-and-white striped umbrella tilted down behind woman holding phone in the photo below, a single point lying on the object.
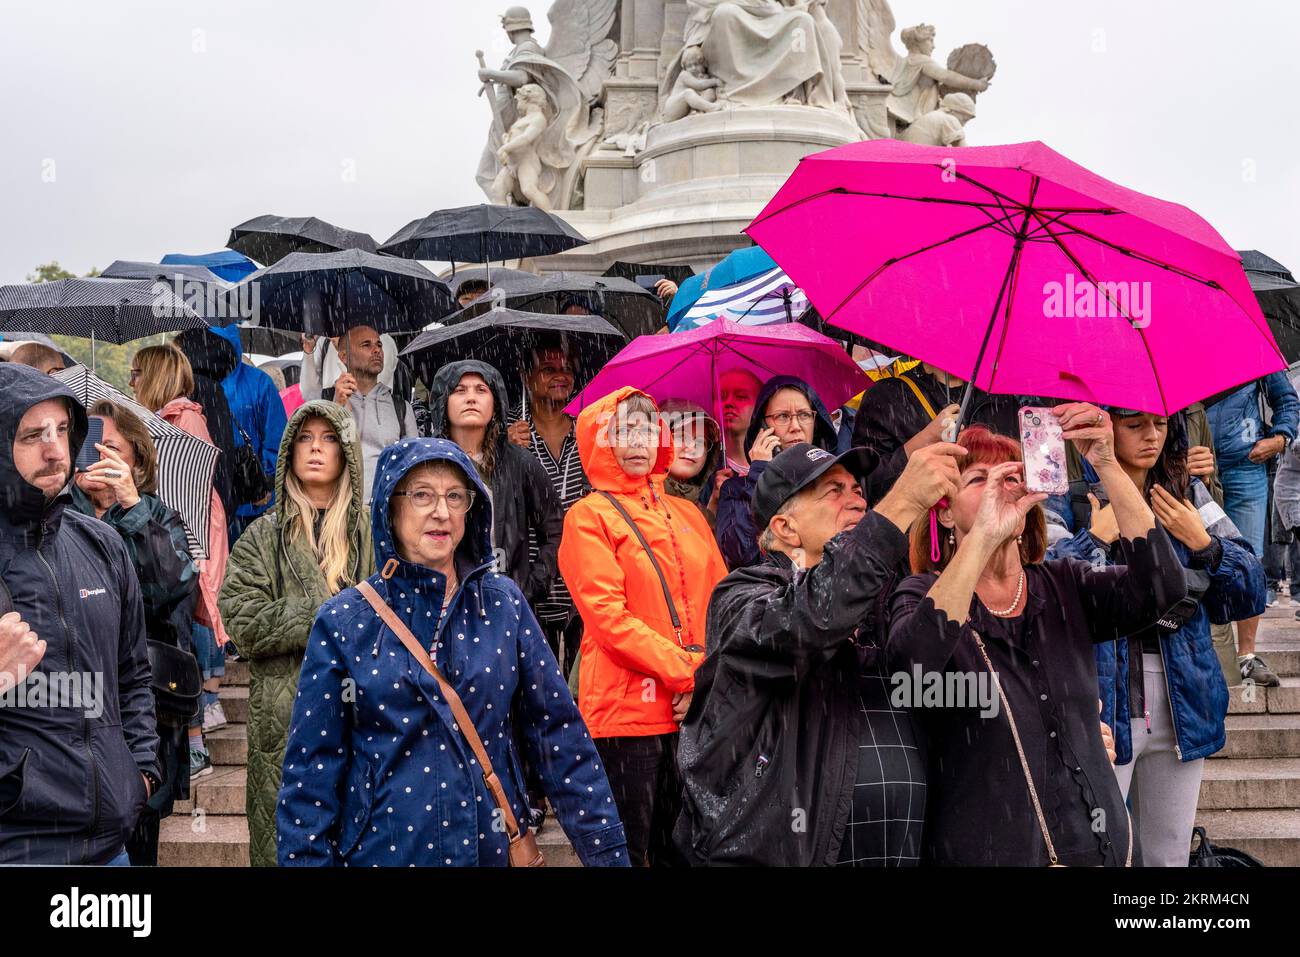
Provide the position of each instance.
(187, 464)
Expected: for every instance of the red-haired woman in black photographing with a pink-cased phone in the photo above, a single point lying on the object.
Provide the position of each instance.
(1020, 777)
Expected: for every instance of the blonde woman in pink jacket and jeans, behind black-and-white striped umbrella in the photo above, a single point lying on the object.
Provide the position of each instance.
(163, 382)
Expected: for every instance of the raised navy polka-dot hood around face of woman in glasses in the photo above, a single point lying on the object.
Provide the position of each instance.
(395, 464)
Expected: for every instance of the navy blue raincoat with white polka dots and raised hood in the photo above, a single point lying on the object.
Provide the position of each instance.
(375, 772)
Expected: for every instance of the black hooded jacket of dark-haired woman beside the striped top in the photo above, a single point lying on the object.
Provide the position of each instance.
(523, 497)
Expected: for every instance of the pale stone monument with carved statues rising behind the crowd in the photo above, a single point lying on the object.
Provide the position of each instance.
(661, 128)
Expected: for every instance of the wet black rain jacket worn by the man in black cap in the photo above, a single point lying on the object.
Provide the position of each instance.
(775, 726)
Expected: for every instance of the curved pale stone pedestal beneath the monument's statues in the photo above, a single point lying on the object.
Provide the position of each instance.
(699, 183)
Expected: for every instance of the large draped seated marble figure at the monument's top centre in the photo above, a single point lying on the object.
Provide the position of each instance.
(766, 53)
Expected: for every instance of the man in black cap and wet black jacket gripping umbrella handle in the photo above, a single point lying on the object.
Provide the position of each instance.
(791, 748)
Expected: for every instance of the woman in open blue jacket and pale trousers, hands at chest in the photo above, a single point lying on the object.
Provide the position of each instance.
(1163, 691)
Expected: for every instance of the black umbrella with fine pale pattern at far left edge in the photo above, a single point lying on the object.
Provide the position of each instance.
(99, 310)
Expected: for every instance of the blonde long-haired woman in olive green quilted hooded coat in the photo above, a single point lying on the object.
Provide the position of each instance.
(285, 566)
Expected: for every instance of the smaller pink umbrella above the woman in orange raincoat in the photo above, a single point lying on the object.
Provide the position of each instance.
(690, 365)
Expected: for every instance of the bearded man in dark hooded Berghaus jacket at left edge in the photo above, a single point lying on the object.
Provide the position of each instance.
(79, 743)
